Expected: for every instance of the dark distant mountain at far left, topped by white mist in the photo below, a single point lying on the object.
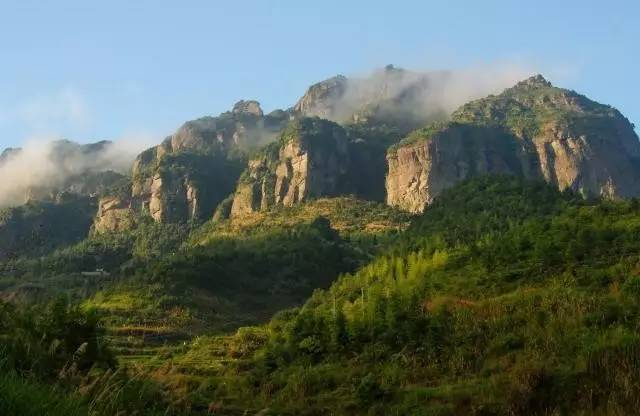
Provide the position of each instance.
(49, 195)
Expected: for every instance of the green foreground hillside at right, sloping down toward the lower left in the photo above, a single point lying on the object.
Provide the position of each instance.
(505, 298)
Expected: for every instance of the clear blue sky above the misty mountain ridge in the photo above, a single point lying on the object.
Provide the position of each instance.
(88, 70)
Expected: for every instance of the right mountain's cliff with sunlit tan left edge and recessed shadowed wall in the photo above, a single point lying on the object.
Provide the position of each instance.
(420, 171)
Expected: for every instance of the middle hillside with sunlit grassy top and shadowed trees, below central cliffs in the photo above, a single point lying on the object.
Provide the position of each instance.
(149, 316)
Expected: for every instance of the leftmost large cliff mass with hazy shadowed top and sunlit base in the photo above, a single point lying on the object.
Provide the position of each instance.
(189, 173)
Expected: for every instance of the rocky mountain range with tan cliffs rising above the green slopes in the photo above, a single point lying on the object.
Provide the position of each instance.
(244, 161)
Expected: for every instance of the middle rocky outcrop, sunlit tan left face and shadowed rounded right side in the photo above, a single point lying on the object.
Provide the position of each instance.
(310, 160)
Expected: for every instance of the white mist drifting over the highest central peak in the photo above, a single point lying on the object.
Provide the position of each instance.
(422, 96)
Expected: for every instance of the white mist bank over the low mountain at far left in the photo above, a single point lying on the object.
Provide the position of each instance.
(43, 167)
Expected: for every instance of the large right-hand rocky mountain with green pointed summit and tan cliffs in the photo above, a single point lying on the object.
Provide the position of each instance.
(534, 130)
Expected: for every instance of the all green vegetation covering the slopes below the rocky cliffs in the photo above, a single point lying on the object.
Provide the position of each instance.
(504, 297)
